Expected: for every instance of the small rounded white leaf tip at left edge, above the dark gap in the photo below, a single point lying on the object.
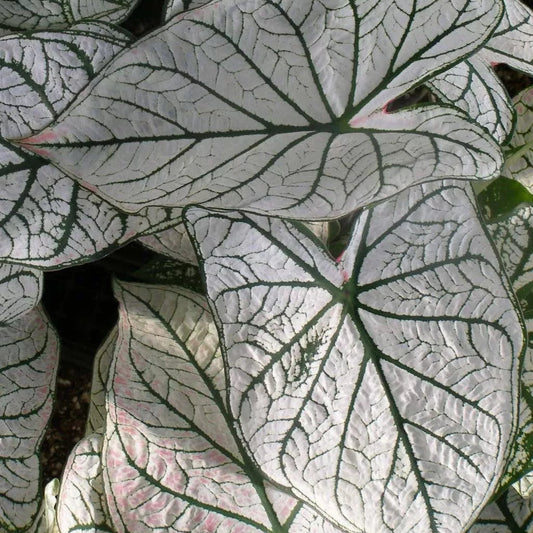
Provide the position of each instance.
(20, 291)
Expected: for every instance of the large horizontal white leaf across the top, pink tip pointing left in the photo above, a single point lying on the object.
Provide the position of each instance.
(278, 107)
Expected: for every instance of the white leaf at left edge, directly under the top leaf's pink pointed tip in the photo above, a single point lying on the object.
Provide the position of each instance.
(47, 219)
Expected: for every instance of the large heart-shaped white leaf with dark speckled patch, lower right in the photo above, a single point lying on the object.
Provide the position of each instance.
(383, 388)
